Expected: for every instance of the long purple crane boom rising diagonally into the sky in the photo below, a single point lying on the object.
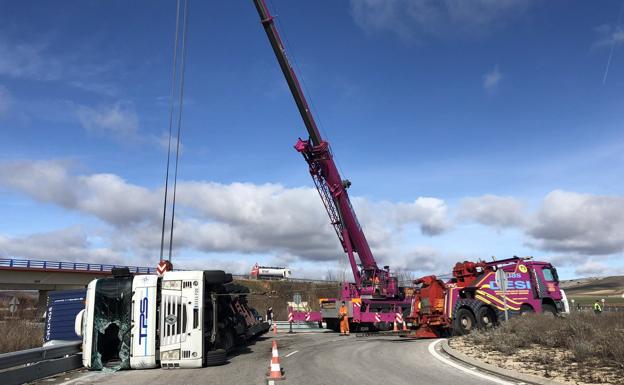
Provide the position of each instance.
(332, 189)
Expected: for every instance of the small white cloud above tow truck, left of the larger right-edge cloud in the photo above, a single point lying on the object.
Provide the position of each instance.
(495, 211)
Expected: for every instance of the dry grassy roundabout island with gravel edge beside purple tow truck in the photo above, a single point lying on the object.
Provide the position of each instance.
(580, 349)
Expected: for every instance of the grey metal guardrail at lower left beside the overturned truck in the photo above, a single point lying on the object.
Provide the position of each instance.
(32, 364)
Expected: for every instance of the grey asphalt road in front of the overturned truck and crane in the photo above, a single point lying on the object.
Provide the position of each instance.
(311, 358)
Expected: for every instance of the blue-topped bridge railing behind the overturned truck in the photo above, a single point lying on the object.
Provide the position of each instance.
(69, 266)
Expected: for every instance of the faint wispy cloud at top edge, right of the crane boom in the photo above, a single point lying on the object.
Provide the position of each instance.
(413, 18)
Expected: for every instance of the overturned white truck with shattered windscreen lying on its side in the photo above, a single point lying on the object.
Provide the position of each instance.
(184, 319)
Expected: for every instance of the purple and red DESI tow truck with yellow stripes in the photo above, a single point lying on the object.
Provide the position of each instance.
(472, 298)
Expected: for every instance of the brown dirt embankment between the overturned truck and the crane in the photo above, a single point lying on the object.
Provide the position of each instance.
(278, 293)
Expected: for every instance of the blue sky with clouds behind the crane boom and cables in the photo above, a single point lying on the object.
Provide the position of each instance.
(468, 129)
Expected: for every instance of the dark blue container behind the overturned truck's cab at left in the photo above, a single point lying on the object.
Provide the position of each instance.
(63, 307)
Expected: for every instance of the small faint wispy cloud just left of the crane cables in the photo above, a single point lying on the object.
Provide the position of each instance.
(118, 120)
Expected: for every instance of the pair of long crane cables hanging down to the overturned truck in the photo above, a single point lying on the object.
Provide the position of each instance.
(181, 26)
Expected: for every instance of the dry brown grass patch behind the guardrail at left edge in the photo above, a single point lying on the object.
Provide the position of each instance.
(19, 335)
